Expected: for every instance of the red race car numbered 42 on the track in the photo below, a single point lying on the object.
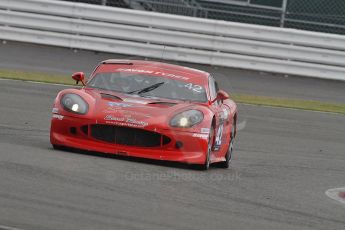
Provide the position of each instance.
(147, 109)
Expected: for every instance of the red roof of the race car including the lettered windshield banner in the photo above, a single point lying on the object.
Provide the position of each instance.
(159, 69)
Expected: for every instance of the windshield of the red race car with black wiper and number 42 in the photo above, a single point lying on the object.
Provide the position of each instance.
(148, 86)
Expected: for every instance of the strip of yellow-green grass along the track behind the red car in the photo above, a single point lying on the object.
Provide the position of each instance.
(240, 98)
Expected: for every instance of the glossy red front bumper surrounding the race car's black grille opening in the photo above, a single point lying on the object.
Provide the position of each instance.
(183, 146)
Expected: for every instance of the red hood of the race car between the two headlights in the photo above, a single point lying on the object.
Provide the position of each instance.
(135, 111)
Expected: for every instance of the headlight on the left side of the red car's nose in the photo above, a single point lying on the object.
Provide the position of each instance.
(74, 103)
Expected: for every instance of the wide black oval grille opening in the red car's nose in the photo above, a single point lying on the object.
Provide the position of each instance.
(128, 136)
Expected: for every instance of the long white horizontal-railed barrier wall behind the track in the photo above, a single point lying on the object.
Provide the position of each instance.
(115, 30)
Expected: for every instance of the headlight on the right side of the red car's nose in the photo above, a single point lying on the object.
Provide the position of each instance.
(187, 119)
